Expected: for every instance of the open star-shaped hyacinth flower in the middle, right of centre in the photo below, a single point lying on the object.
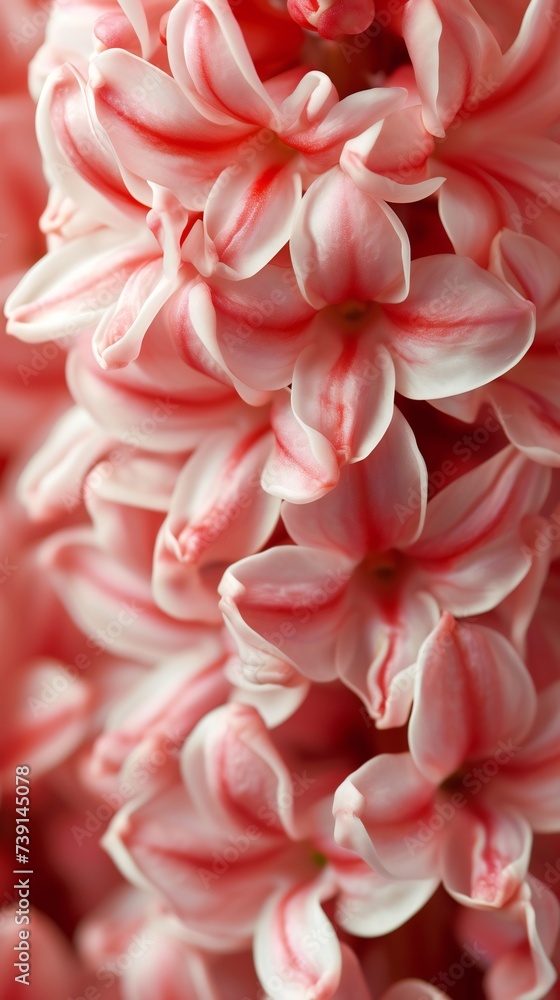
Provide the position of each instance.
(374, 566)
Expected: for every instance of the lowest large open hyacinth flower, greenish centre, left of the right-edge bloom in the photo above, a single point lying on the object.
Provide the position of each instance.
(261, 854)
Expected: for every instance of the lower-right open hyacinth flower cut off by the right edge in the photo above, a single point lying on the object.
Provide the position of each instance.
(470, 779)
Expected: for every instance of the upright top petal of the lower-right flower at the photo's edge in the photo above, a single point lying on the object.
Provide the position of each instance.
(473, 694)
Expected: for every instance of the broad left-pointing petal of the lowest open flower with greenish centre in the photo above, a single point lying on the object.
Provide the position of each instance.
(163, 844)
